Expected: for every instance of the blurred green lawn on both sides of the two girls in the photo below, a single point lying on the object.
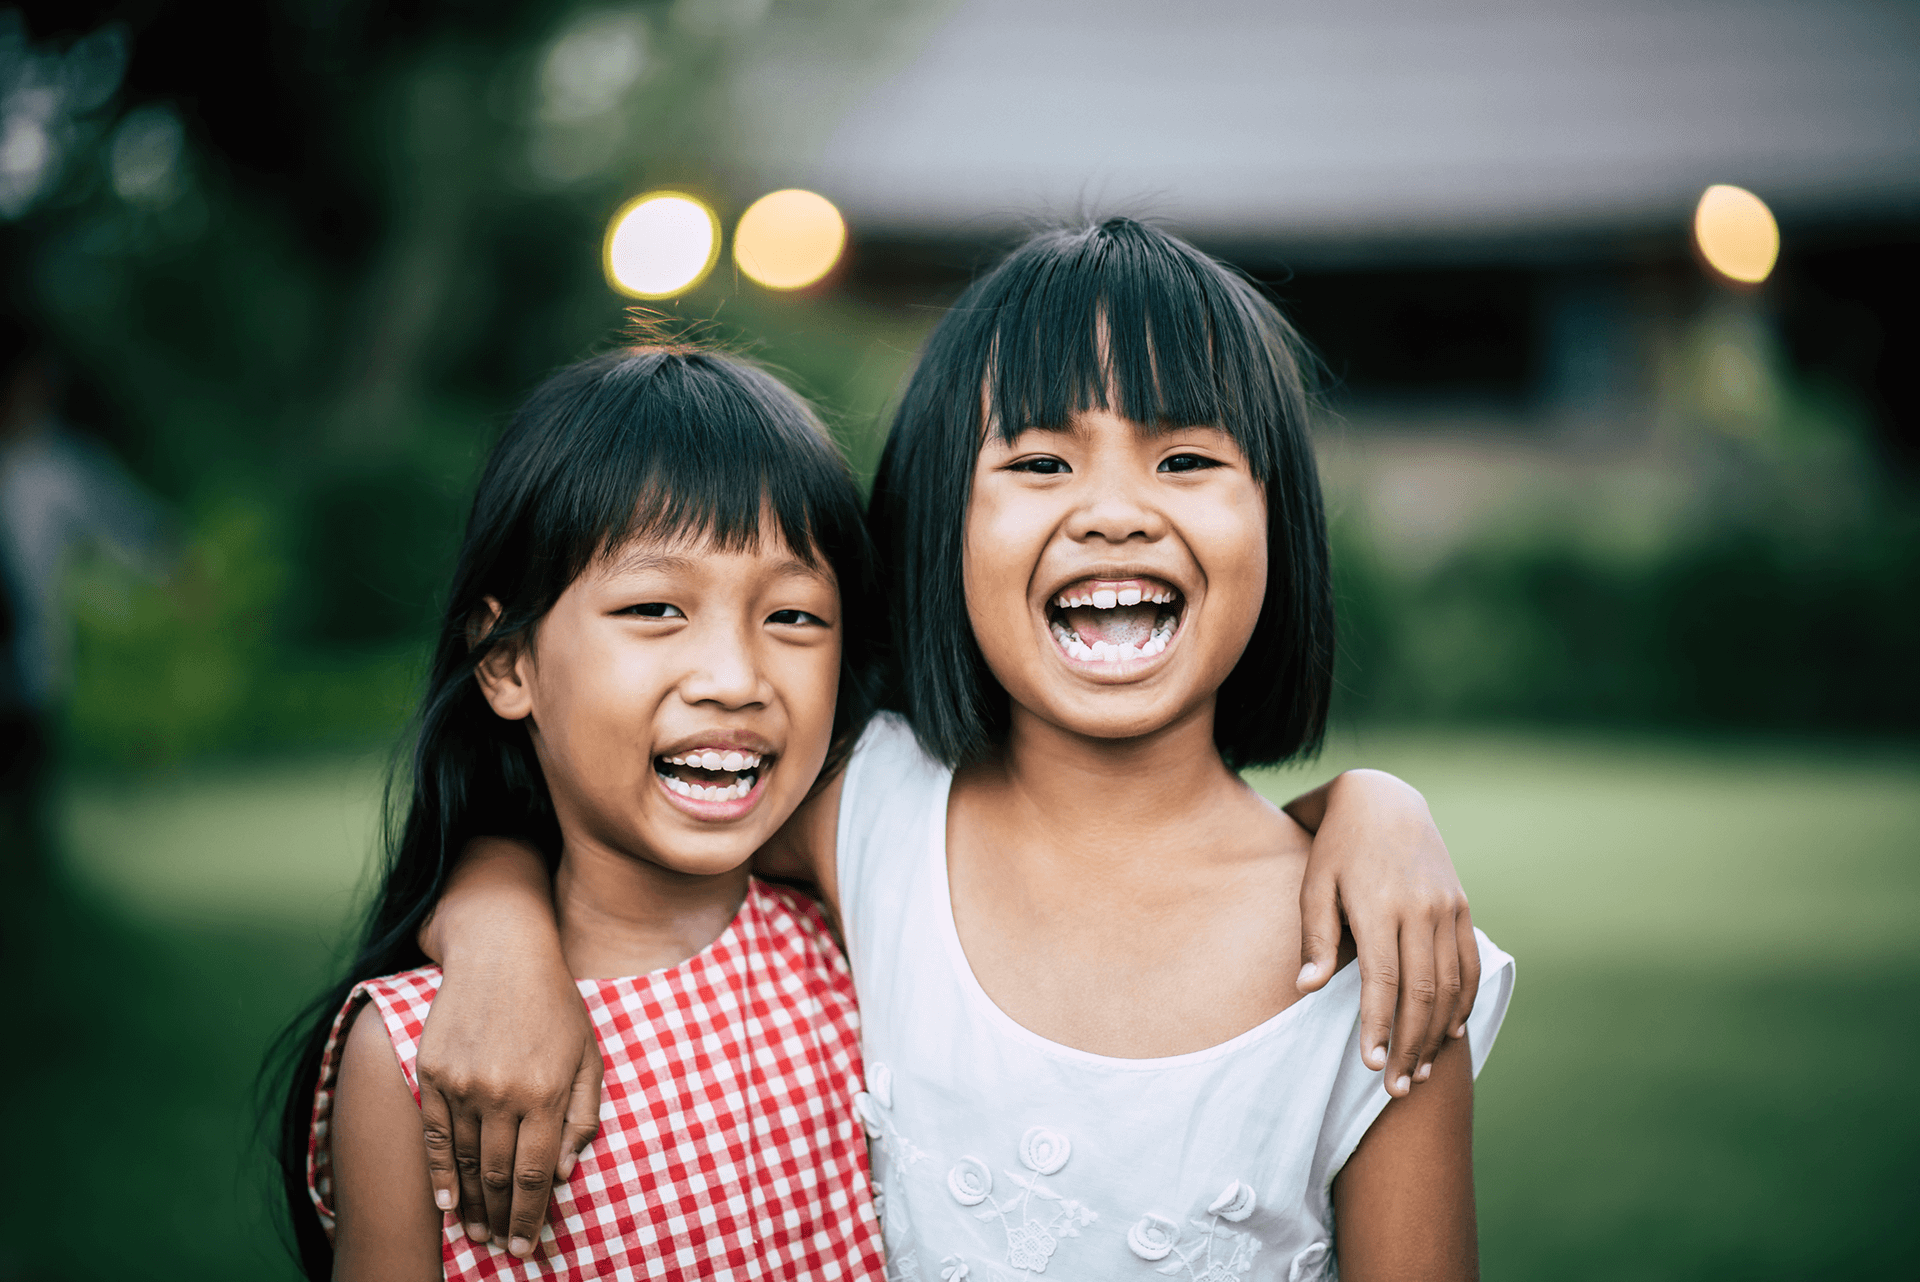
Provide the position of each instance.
(1704, 1072)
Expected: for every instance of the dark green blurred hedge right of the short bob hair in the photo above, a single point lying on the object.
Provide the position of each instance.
(1750, 625)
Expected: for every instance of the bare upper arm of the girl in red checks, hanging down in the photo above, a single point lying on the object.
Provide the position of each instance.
(385, 1231)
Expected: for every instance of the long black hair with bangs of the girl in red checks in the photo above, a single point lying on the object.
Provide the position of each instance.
(631, 444)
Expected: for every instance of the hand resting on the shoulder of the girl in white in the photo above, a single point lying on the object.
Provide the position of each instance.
(1380, 863)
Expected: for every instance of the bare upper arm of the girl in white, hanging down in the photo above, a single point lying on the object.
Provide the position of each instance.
(1404, 1202)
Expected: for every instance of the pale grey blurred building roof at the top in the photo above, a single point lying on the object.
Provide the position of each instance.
(1381, 120)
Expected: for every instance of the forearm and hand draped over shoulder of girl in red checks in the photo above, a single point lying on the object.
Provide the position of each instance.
(510, 1066)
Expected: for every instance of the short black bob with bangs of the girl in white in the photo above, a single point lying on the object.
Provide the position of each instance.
(1136, 321)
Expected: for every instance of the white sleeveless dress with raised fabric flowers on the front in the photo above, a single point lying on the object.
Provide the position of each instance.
(999, 1154)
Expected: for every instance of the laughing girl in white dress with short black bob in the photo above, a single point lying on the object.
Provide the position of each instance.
(1074, 930)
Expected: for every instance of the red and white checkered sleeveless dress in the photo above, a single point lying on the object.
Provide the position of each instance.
(729, 1145)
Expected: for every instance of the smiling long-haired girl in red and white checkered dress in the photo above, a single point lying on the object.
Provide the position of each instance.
(636, 677)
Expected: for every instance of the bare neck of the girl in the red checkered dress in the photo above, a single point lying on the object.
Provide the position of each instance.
(623, 914)
